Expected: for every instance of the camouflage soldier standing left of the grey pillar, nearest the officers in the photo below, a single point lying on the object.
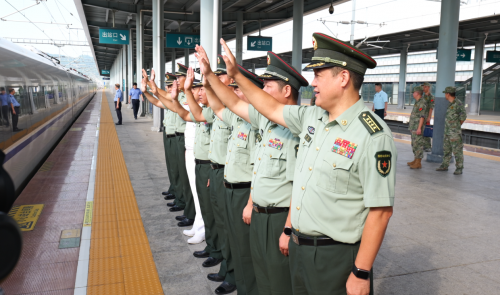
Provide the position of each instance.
(416, 126)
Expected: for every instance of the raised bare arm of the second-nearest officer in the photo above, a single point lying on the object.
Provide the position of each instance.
(222, 92)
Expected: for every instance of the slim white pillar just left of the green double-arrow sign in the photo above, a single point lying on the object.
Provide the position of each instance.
(158, 53)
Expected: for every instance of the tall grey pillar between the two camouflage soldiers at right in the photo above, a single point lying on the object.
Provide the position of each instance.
(448, 38)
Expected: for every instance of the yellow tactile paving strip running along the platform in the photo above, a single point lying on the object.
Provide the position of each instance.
(121, 261)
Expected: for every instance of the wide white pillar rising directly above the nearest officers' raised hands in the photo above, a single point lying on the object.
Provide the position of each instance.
(209, 29)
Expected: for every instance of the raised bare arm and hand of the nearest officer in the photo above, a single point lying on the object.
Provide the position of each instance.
(261, 100)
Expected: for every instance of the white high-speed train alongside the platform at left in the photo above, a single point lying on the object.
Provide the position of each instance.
(51, 99)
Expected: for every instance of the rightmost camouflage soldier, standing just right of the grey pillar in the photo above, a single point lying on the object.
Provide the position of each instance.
(455, 116)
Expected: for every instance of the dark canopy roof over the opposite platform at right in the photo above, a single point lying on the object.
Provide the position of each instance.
(422, 39)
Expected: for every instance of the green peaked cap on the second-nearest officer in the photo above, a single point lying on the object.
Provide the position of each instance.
(278, 69)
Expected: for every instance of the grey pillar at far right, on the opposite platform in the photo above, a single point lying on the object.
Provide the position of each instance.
(477, 77)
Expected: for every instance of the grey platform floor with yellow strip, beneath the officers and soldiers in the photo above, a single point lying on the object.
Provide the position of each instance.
(442, 239)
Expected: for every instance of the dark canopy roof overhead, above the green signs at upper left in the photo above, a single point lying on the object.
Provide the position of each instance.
(181, 16)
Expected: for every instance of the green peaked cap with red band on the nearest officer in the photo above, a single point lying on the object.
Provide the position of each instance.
(330, 52)
